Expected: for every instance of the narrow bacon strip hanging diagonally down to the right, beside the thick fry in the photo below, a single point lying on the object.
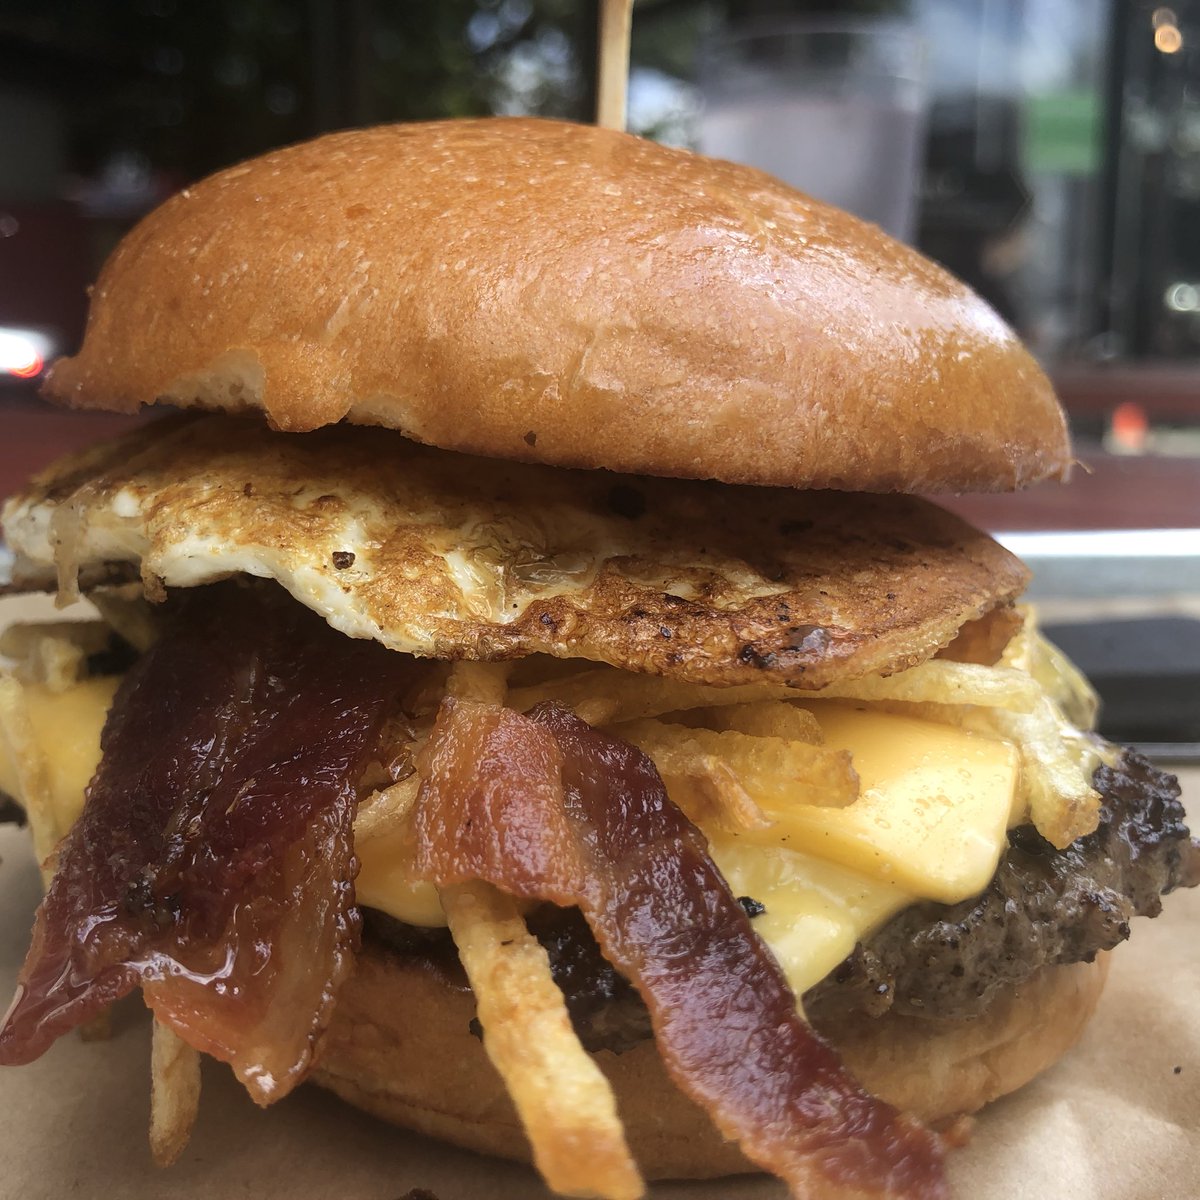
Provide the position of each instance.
(547, 808)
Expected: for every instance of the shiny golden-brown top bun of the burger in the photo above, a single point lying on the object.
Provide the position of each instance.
(569, 296)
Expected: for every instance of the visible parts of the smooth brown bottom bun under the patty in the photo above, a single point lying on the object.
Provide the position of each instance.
(400, 1048)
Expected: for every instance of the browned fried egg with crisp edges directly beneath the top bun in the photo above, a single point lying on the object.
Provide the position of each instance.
(445, 555)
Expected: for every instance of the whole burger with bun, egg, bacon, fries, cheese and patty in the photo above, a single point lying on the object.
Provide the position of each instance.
(531, 695)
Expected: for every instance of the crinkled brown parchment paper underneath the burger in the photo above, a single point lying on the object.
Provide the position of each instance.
(1118, 1120)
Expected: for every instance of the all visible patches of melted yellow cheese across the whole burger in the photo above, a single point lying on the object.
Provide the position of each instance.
(931, 824)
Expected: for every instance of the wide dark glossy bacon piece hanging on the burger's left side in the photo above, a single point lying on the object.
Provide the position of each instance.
(214, 860)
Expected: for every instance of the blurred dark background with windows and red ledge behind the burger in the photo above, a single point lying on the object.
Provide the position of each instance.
(1048, 152)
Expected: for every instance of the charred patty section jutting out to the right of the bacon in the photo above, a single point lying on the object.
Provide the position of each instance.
(1043, 908)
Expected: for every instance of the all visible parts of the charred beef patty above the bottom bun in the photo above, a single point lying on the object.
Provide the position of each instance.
(1045, 908)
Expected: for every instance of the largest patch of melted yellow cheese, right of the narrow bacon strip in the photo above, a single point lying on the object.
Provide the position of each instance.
(931, 824)
